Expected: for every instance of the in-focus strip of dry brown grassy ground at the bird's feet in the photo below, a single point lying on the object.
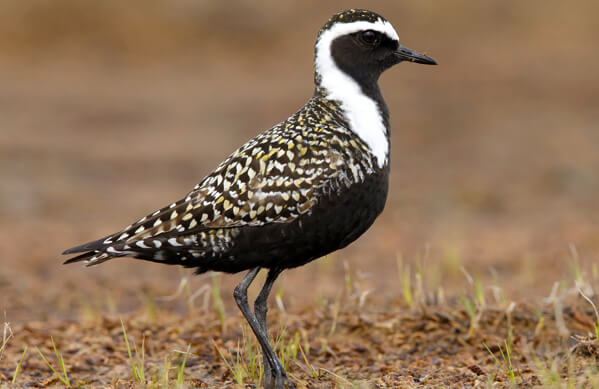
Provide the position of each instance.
(342, 343)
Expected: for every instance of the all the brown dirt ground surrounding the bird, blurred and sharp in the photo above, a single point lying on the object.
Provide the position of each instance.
(112, 110)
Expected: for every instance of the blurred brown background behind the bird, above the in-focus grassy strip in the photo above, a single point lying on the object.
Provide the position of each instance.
(111, 109)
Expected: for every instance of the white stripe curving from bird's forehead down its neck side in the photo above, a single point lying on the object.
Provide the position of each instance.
(362, 112)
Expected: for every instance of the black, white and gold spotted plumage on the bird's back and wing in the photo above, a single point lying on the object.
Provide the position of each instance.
(274, 178)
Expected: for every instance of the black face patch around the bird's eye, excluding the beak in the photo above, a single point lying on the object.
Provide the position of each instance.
(364, 55)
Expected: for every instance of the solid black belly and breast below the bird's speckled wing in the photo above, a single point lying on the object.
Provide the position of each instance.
(336, 221)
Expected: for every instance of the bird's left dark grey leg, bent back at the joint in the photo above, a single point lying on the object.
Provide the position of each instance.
(240, 295)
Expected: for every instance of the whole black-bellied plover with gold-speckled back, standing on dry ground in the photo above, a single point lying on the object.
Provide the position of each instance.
(304, 188)
